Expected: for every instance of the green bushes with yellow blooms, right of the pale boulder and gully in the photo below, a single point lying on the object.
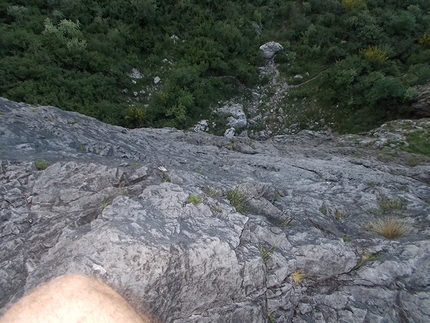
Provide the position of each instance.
(361, 58)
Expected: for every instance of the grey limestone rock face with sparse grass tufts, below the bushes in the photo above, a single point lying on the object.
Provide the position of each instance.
(115, 204)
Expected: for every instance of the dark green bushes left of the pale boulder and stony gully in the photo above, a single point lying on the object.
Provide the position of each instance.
(77, 54)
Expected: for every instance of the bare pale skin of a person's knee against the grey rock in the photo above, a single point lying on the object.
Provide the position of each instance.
(73, 299)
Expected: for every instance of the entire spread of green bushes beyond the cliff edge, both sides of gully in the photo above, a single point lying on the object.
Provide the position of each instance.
(361, 57)
